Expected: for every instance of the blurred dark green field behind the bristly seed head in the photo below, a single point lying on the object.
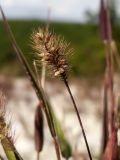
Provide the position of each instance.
(88, 57)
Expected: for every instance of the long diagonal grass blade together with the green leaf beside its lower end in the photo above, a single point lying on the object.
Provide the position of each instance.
(46, 106)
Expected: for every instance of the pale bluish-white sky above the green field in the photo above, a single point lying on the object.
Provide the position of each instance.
(67, 10)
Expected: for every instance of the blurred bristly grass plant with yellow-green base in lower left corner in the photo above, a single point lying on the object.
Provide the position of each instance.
(6, 140)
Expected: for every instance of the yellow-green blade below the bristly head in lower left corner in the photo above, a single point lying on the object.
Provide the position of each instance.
(10, 150)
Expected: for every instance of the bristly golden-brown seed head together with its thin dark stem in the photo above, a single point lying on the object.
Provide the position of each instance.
(54, 51)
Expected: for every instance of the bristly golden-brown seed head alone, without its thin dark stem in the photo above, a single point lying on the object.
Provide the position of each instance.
(51, 49)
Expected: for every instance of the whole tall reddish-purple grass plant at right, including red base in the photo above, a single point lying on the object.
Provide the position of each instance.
(109, 147)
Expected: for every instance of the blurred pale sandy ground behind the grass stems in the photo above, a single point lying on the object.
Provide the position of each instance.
(21, 103)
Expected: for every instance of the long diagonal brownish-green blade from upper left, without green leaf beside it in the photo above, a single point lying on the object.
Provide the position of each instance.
(38, 89)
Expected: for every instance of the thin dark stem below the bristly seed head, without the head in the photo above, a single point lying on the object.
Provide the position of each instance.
(77, 112)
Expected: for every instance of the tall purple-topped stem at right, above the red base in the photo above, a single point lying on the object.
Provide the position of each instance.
(106, 33)
